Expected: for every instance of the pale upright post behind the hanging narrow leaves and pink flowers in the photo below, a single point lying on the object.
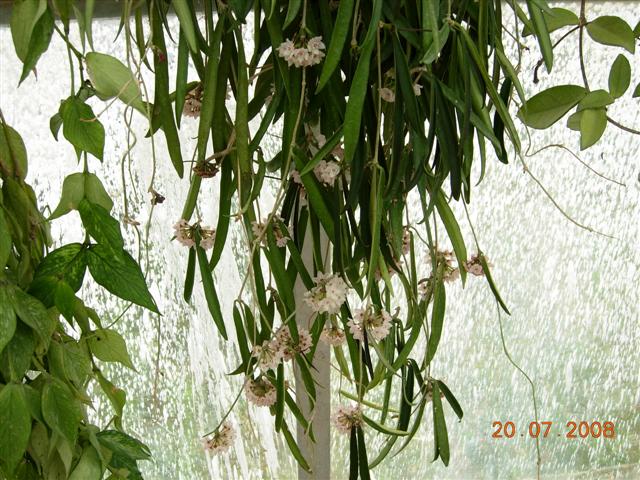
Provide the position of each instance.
(317, 454)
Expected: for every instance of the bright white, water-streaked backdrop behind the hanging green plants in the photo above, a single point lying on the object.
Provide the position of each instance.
(573, 295)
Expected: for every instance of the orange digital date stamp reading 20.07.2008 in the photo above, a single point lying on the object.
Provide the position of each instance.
(571, 430)
